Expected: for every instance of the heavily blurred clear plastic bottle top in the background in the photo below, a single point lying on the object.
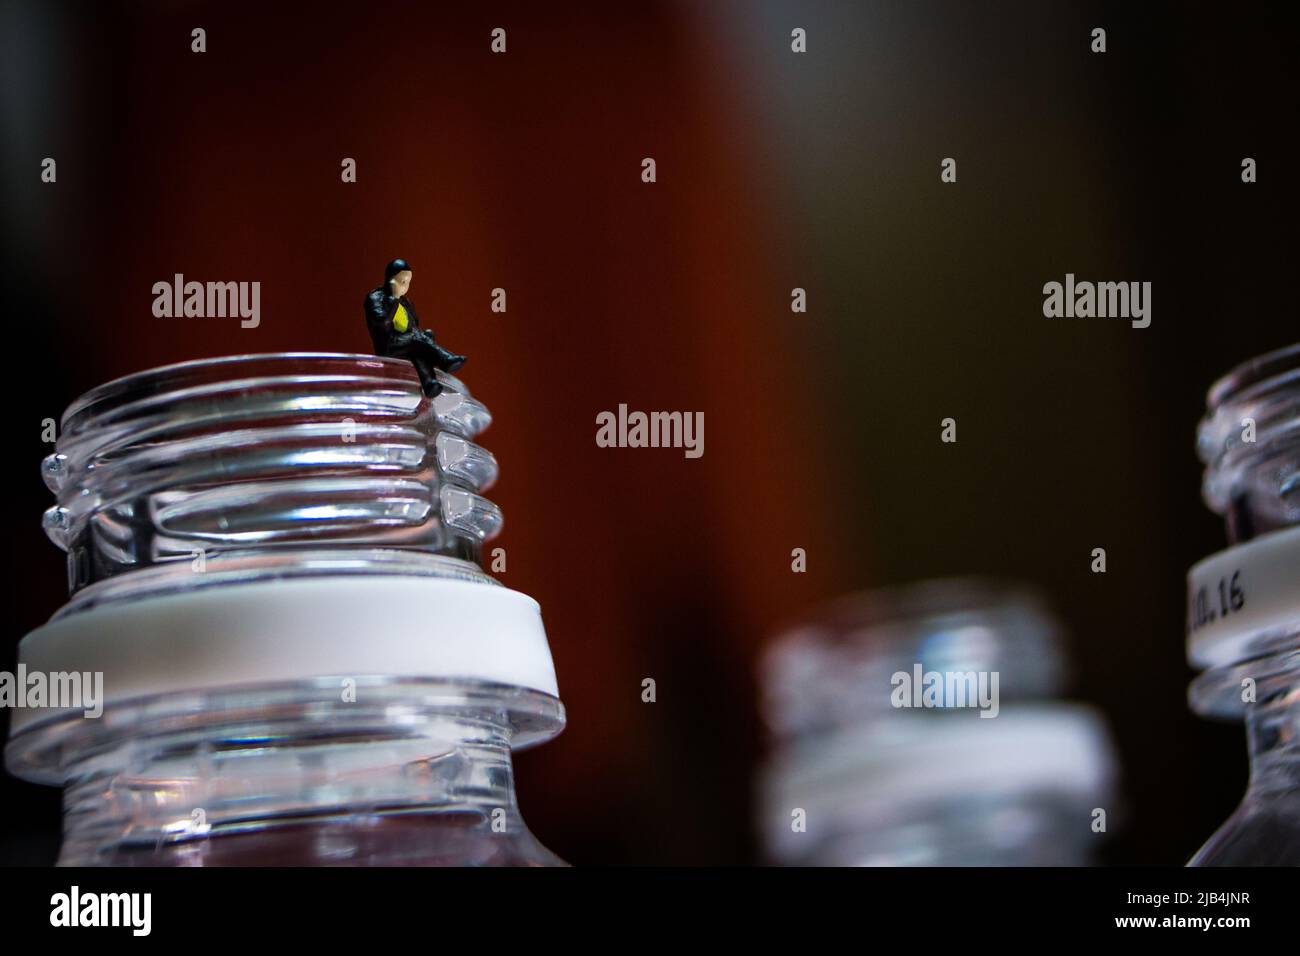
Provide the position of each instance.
(866, 772)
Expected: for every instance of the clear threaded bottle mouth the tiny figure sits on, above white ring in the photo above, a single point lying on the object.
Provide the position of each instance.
(261, 468)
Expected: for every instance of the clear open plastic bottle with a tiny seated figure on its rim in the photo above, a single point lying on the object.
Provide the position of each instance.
(275, 565)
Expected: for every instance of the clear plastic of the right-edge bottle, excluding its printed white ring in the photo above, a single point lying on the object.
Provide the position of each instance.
(1250, 442)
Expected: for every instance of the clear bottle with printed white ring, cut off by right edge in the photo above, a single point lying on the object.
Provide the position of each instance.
(1243, 617)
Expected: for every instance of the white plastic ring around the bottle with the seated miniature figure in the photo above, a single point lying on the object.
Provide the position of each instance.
(293, 630)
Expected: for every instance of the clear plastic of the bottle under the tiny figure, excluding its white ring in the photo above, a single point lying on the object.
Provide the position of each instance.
(252, 470)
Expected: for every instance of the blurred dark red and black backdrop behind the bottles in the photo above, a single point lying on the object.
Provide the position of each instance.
(822, 430)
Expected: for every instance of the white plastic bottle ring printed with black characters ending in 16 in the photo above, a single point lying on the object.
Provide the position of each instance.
(1240, 594)
